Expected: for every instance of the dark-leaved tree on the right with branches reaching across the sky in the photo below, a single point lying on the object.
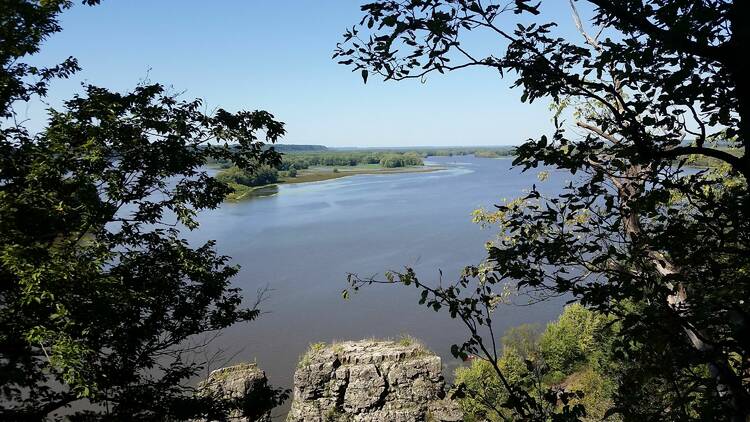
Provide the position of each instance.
(634, 236)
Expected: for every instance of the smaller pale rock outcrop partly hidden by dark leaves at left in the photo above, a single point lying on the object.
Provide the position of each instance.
(237, 383)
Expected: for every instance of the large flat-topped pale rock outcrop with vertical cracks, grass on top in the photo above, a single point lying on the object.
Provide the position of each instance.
(371, 381)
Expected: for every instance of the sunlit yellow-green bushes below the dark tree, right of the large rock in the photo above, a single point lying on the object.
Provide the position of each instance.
(574, 353)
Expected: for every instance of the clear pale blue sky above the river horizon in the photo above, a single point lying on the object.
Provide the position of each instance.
(276, 56)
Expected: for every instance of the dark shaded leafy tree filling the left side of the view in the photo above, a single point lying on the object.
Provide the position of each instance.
(101, 301)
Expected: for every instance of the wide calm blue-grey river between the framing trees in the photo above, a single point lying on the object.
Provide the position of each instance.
(303, 241)
